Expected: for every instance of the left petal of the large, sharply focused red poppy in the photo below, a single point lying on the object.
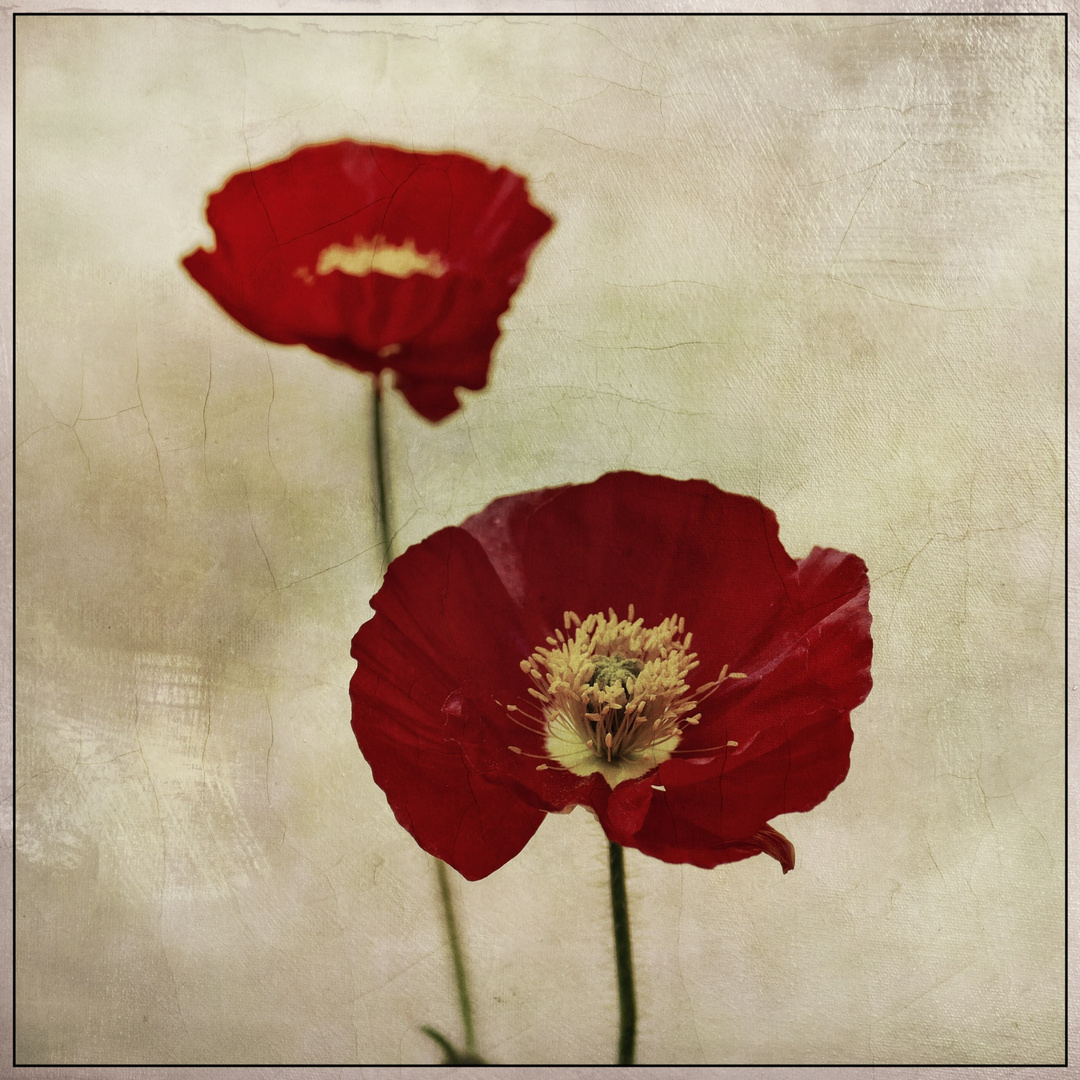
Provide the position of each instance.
(442, 624)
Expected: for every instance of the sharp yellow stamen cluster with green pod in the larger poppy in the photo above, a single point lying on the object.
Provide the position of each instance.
(615, 694)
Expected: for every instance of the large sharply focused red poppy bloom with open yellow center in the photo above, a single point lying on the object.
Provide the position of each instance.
(640, 646)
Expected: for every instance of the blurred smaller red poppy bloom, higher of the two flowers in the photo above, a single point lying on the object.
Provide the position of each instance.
(376, 258)
